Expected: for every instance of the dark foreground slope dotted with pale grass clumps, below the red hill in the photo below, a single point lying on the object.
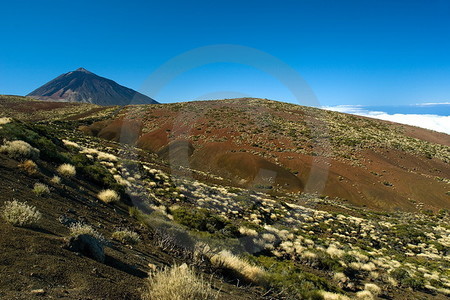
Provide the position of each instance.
(286, 246)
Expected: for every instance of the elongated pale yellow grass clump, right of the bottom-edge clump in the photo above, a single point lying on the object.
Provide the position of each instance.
(248, 271)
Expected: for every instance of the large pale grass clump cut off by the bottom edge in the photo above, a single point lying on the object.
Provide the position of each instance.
(178, 283)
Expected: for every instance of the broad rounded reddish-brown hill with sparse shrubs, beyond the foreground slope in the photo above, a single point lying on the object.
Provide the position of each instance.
(250, 143)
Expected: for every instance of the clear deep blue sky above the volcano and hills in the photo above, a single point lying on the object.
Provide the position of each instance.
(349, 51)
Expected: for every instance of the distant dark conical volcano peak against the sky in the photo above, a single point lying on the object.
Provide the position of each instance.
(86, 87)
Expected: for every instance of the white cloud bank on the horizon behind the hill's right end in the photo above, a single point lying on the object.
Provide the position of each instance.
(433, 122)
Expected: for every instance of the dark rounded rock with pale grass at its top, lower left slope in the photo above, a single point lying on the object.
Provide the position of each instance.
(88, 246)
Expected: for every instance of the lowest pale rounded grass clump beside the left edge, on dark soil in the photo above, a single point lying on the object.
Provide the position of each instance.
(20, 214)
